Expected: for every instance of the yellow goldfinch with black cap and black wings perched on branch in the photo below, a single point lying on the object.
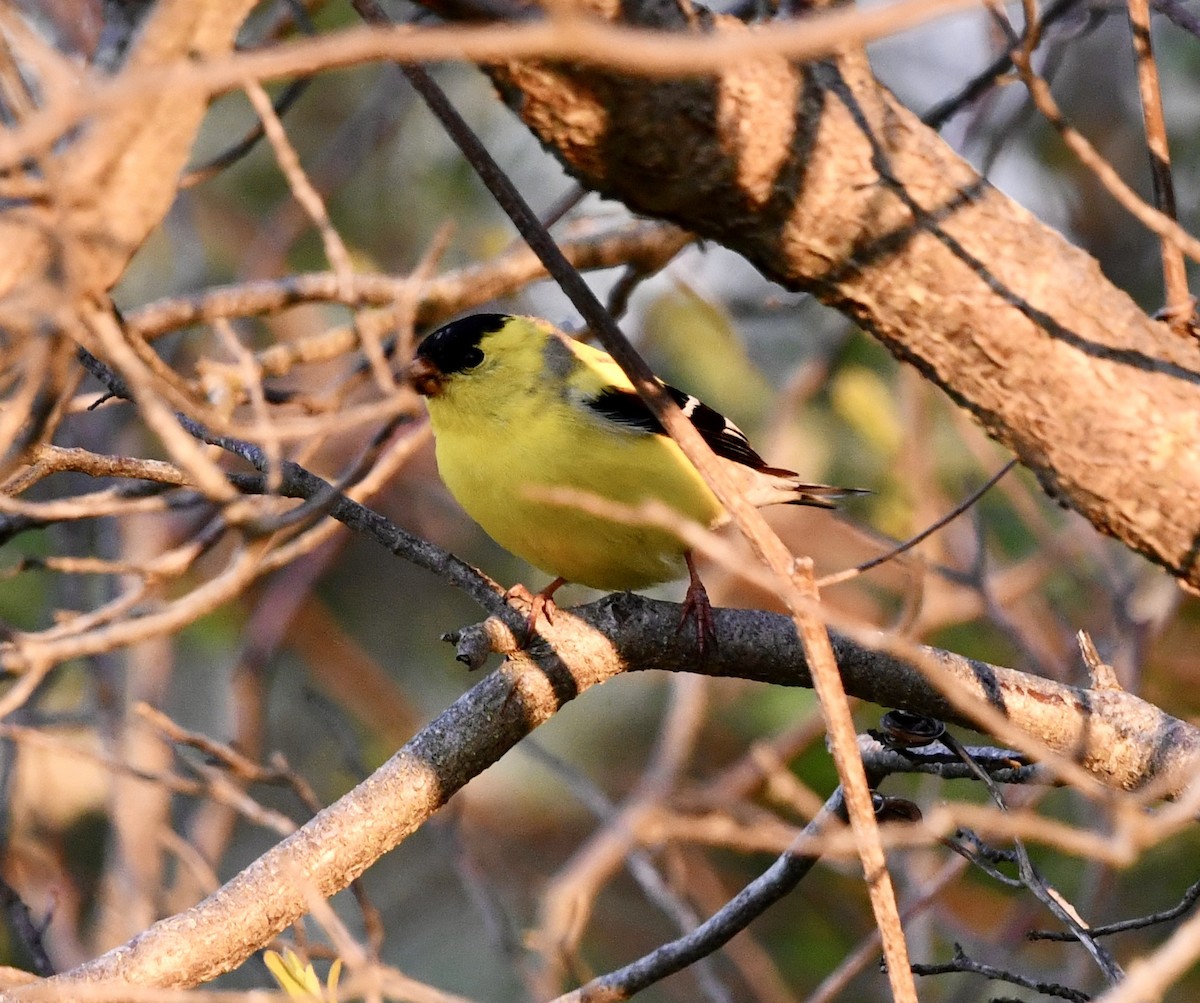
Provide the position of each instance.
(519, 409)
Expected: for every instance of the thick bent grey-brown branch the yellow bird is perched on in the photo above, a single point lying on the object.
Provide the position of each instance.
(1117, 736)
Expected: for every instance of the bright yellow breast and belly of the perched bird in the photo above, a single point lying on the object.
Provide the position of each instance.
(499, 453)
